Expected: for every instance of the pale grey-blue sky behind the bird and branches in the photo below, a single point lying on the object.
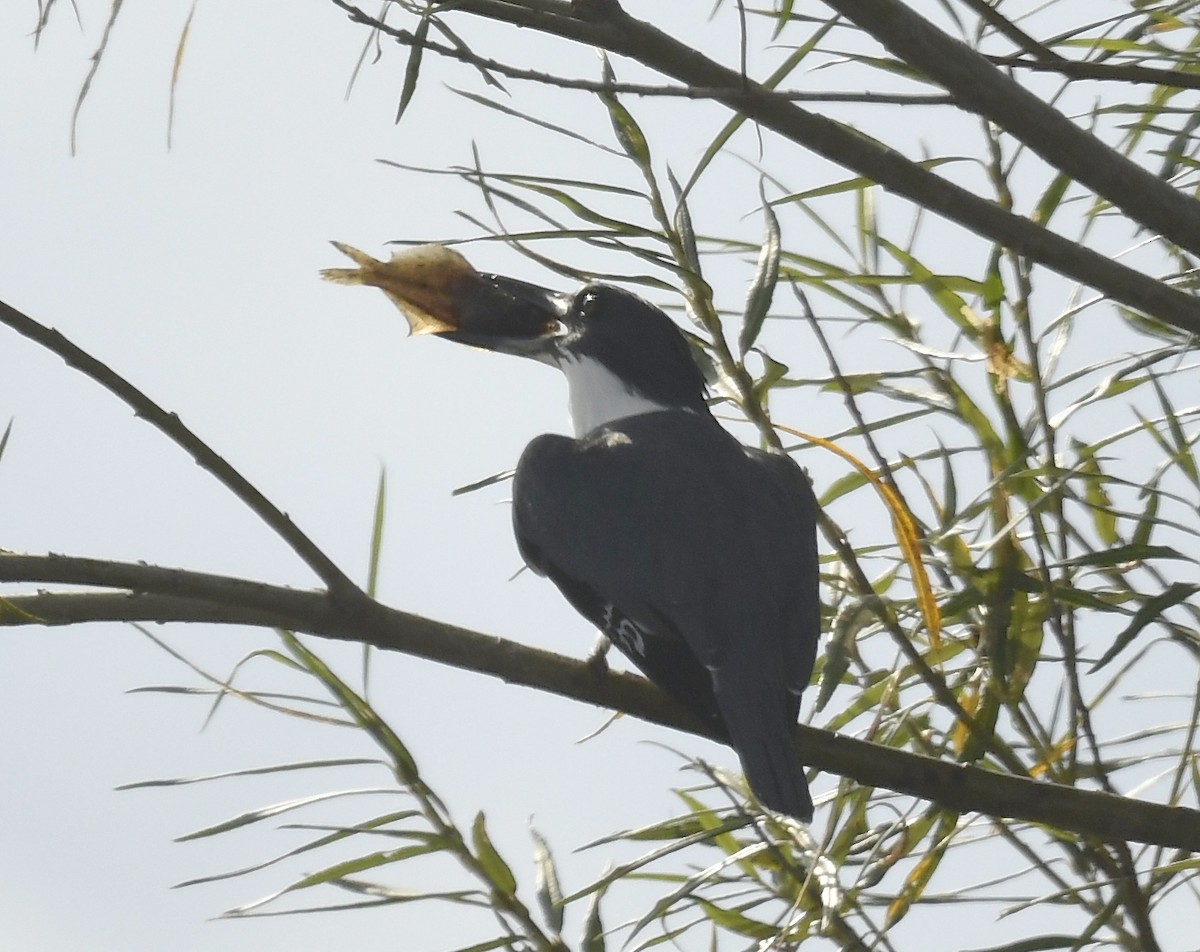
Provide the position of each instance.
(194, 273)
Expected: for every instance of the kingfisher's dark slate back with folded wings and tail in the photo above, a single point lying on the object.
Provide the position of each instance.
(700, 573)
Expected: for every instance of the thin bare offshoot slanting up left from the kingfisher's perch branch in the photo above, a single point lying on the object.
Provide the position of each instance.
(170, 424)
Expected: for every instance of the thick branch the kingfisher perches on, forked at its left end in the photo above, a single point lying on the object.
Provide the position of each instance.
(159, 595)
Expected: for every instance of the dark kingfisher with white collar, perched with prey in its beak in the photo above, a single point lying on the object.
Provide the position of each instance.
(695, 555)
